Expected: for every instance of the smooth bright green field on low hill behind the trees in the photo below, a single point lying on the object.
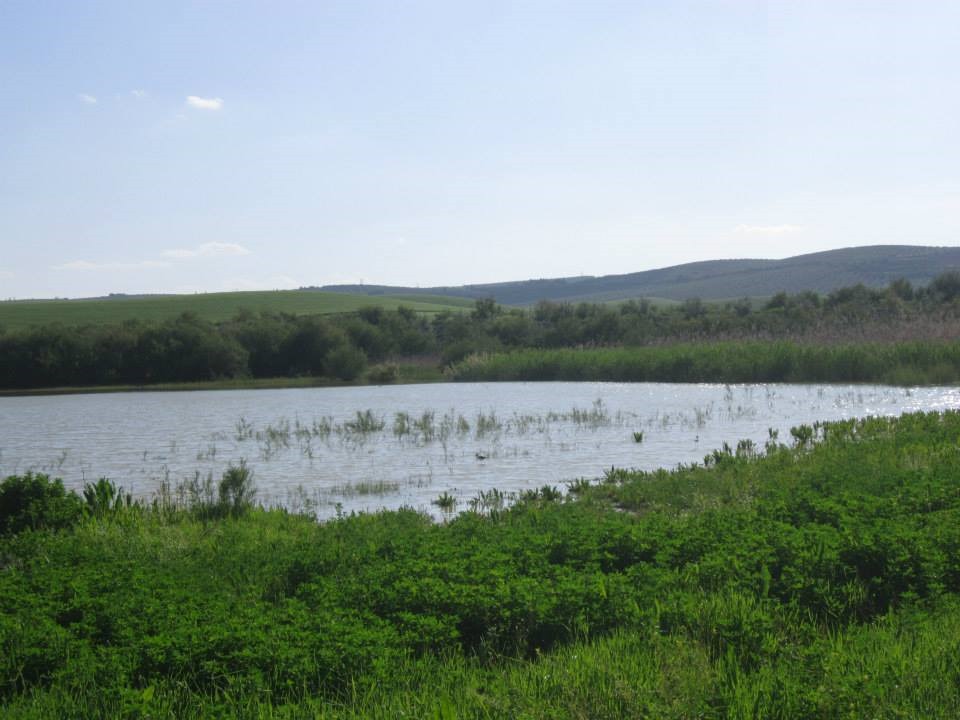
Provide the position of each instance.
(19, 314)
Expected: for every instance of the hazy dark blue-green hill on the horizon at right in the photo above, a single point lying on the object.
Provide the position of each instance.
(875, 266)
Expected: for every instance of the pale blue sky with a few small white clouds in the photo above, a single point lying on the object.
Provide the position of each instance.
(207, 146)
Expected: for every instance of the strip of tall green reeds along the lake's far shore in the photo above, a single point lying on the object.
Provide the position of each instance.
(903, 363)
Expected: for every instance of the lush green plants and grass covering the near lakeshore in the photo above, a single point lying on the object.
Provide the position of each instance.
(820, 580)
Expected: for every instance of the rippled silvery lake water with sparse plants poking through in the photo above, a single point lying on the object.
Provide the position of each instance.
(364, 448)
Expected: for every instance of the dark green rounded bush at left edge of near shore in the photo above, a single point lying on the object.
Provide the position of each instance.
(32, 502)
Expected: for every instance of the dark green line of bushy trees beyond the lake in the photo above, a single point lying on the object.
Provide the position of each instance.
(270, 344)
